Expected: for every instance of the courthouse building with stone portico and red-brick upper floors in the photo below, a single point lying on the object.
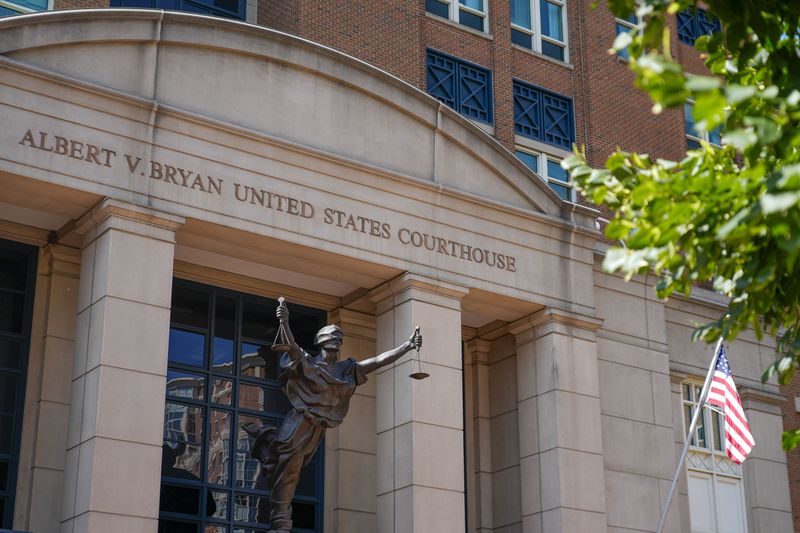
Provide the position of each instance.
(166, 176)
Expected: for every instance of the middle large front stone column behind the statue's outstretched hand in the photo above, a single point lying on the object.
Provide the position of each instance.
(420, 448)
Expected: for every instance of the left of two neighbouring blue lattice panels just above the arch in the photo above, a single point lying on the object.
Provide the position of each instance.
(465, 87)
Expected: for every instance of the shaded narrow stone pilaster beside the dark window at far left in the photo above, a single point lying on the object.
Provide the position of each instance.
(50, 371)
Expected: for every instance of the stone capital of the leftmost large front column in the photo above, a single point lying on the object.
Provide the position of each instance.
(130, 218)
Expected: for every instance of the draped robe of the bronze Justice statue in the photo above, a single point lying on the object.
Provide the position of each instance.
(320, 396)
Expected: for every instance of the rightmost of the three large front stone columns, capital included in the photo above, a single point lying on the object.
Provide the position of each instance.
(561, 450)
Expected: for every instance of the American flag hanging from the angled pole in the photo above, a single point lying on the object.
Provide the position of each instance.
(738, 439)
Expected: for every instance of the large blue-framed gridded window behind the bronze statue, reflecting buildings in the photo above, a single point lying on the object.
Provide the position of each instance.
(222, 375)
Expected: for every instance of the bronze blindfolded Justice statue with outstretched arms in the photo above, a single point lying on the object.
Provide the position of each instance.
(319, 389)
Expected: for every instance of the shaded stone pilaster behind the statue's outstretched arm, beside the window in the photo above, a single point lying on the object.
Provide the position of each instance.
(350, 463)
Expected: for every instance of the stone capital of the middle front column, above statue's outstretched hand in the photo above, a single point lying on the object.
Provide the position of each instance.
(414, 286)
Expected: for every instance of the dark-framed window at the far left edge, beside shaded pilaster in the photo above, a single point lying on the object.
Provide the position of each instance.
(17, 279)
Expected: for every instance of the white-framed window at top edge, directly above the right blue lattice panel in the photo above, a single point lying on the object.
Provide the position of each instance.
(541, 26)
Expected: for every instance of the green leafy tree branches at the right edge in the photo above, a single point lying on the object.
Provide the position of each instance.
(726, 214)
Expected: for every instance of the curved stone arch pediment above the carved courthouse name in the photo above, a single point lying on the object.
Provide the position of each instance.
(263, 84)
